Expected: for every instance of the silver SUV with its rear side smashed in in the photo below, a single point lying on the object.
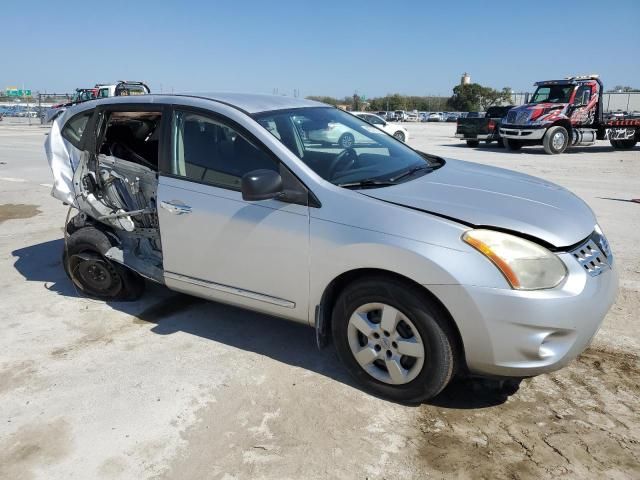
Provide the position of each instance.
(414, 266)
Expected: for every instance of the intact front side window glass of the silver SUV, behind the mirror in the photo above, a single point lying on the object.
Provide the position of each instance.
(208, 151)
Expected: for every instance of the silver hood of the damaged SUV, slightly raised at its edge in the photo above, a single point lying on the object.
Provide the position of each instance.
(485, 196)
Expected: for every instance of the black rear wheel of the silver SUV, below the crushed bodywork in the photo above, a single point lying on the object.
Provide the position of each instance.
(95, 275)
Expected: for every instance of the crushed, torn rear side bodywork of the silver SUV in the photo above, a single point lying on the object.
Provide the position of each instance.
(111, 190)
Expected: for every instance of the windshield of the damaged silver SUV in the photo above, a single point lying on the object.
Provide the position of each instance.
(344, 149)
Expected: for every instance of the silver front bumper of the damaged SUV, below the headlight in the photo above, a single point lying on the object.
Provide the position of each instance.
(516, 333)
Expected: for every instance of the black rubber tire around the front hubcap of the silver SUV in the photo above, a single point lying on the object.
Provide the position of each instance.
(440, 355)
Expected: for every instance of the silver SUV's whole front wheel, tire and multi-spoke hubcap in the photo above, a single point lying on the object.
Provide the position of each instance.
(393, 340)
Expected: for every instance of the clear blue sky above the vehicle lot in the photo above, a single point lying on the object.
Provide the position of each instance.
(320, 47)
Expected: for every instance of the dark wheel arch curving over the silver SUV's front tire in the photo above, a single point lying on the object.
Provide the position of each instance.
(330, 294)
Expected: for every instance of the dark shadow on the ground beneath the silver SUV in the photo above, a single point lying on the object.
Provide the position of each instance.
(281, 340)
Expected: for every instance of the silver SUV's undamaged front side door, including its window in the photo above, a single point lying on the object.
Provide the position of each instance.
(217, 245)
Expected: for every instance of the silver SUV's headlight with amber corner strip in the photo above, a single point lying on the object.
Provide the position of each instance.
(525, 265)
